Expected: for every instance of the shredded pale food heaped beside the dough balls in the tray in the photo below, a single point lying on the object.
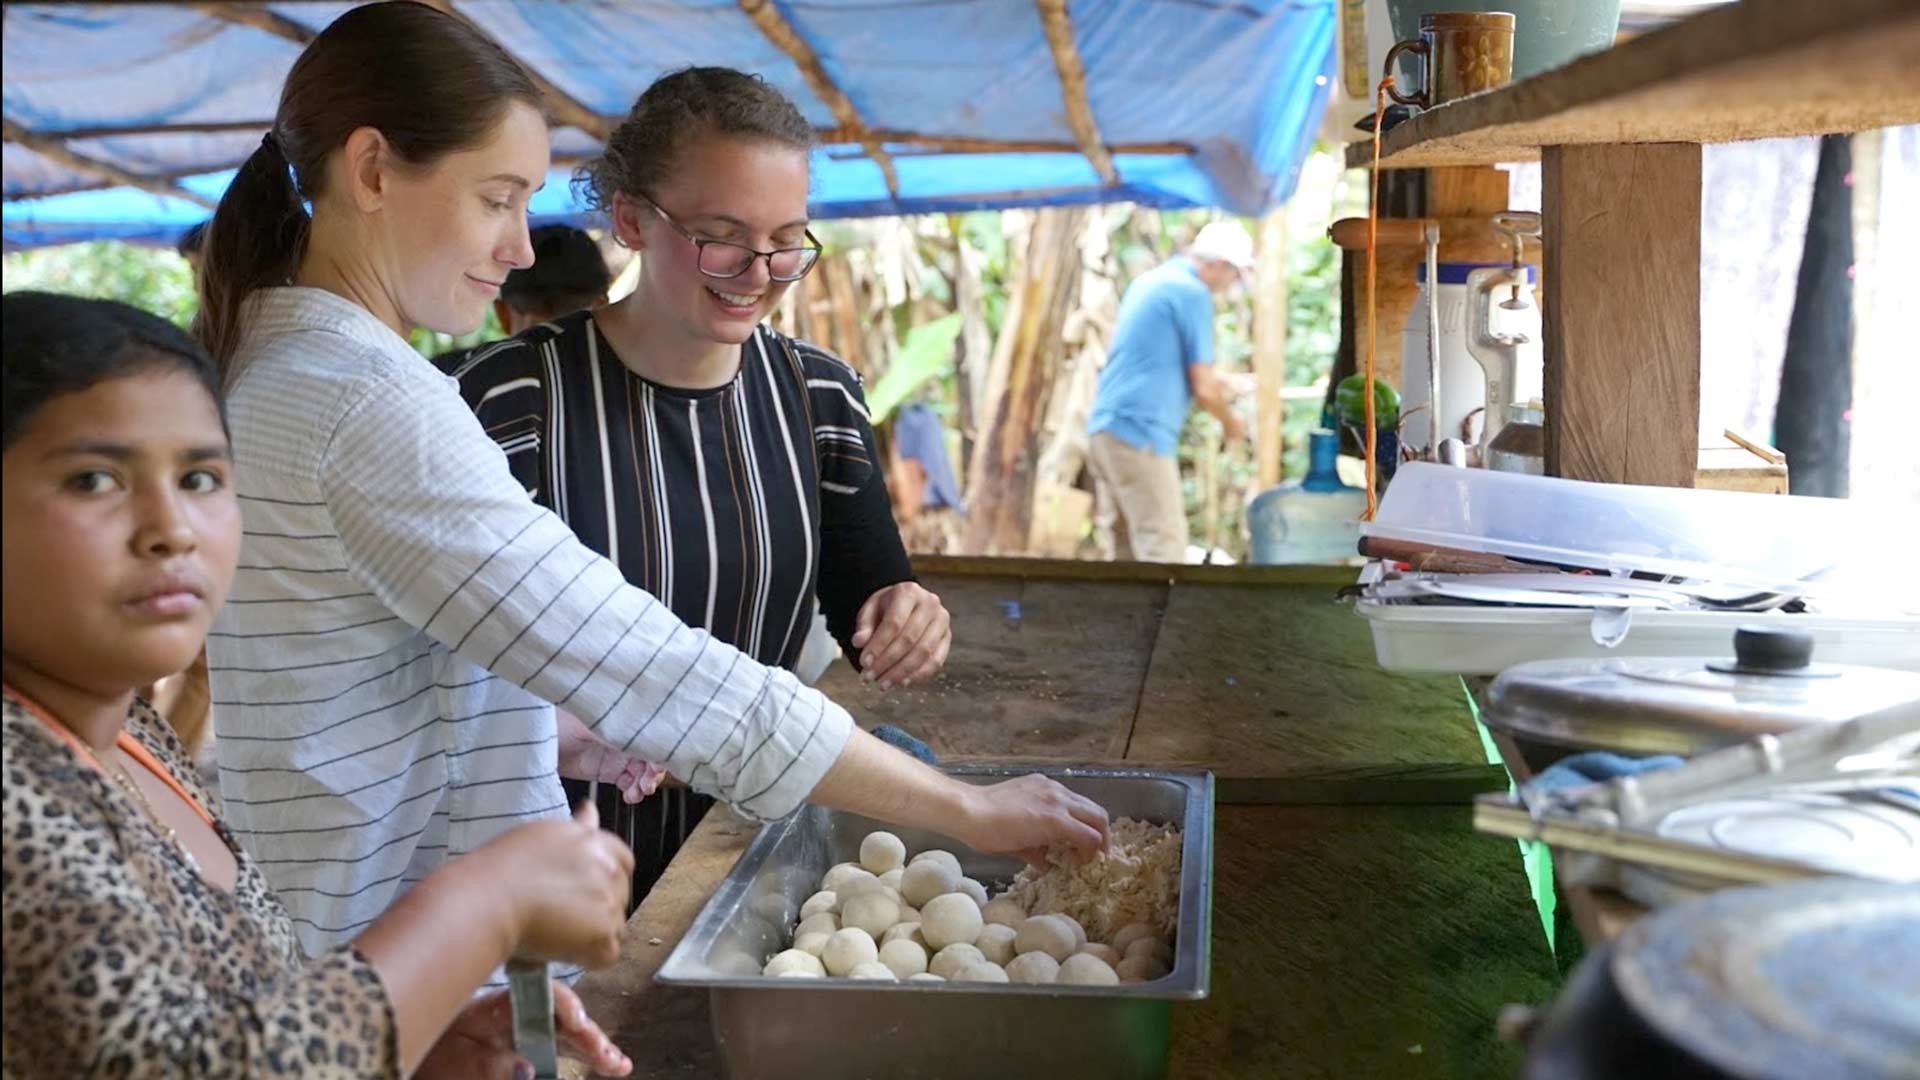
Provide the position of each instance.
(1138, 879)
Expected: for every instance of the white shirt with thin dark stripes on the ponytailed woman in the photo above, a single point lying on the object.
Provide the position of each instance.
(400, 602)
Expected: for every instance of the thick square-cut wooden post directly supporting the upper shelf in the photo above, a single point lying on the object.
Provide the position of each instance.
(1623, 312)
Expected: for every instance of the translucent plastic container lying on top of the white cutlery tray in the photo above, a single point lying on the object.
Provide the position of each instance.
(1794, 545)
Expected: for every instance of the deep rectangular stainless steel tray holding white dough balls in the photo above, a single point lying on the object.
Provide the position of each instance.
(800, 1029)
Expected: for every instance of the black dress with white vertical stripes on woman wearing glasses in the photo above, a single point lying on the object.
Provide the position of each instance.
(736, 506)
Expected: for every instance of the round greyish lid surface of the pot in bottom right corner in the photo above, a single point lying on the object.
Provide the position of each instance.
(1806, 979)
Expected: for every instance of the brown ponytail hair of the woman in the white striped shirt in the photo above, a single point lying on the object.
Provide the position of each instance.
(425, 80)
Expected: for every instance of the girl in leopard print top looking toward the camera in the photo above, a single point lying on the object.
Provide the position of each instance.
(141, 941)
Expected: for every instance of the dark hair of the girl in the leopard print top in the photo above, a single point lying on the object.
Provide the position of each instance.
(64, 345)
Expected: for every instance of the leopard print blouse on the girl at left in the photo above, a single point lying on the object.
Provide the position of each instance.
(122, 962)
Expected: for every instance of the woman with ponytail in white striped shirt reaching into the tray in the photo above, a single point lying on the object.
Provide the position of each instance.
(404, 618)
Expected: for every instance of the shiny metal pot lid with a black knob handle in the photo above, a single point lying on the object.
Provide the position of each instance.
(1692, 704)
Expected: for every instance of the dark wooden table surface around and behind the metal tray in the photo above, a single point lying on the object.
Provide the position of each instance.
(1360, 925)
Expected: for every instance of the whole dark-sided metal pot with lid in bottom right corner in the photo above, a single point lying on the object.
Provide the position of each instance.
(1808, 979)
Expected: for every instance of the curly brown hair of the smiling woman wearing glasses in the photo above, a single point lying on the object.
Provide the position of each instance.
(679, 109)
